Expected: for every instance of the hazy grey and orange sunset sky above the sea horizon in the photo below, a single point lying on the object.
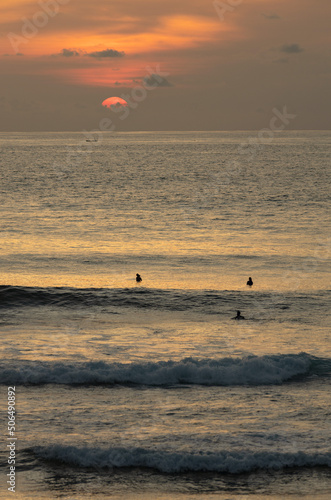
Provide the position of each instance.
(181, 65)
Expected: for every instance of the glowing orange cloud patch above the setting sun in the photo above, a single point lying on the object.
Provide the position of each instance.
(108, 25)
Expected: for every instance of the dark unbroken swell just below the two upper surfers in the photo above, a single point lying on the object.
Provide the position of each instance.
(207, 301)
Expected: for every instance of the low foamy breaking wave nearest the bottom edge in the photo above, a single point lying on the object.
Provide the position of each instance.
(234, 462)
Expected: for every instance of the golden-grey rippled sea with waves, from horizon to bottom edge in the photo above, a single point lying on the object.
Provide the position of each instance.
(151, 390)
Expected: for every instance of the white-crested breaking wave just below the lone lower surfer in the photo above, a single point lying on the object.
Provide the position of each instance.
(250, 370)
